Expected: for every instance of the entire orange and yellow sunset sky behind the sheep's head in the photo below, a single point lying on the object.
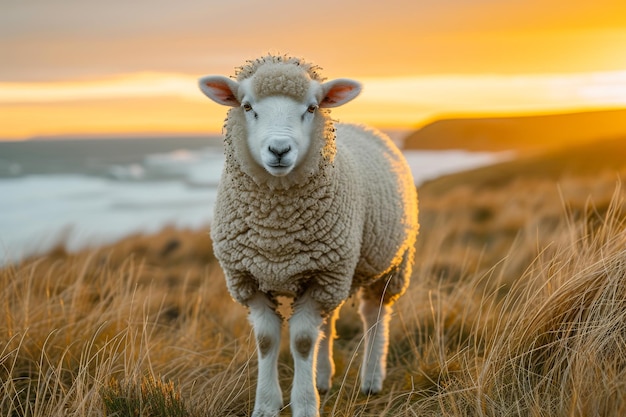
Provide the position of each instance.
(83, 67)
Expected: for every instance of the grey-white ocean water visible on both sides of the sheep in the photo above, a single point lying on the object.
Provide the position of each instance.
(89, 192)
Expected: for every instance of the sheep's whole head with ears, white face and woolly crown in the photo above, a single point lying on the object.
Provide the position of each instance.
(282, 102)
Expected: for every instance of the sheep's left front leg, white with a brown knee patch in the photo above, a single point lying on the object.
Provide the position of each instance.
(267, 324)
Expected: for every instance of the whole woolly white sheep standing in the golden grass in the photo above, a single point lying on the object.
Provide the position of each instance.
(313, 210)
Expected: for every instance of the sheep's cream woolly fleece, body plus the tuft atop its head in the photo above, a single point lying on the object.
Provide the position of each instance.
(344, 219)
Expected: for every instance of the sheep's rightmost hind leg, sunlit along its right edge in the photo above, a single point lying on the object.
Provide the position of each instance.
(375, 315)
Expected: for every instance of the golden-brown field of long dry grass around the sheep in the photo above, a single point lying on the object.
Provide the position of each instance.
(517, 308)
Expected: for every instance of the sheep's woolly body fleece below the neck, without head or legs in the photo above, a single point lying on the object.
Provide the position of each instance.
(332, 235)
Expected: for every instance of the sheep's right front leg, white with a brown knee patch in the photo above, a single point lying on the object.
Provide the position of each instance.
(304, 328)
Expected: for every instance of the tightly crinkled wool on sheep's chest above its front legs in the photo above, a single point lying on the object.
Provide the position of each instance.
(279, 242)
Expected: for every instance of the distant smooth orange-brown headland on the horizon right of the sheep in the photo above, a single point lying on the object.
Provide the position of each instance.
(519, 133)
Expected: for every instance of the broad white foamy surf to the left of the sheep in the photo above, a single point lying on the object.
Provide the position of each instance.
(90, 211)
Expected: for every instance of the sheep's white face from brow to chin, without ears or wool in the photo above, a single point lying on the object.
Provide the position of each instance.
(279, 131)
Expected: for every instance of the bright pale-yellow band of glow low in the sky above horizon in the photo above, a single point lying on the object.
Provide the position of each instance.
(172, 103)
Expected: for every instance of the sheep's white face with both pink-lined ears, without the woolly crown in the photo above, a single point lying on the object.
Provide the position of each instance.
(279, 126)
